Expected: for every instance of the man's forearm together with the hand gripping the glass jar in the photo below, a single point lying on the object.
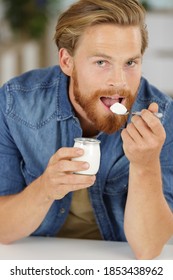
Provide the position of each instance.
(22, 214)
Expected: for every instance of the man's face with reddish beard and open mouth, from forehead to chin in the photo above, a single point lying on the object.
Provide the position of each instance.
(107, 69)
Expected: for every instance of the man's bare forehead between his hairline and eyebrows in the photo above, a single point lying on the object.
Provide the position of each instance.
(110, 38)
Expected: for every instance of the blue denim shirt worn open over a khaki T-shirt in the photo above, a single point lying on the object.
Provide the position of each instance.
(36, 119)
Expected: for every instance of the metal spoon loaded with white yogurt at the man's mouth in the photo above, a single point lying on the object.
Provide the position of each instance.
(120, 109)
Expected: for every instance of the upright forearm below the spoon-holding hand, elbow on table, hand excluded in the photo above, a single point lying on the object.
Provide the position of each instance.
(148, 218)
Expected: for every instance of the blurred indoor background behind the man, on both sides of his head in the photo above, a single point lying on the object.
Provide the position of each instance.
(27, 30)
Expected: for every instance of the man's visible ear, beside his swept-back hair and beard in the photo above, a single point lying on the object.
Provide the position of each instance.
(66, 61)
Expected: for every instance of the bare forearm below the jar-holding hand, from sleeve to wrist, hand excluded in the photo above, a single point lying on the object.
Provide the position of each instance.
(21, 214)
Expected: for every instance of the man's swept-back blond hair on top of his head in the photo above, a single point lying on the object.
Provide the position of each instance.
(85, 13)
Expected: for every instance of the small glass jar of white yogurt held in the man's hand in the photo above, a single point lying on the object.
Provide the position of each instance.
(91, 154)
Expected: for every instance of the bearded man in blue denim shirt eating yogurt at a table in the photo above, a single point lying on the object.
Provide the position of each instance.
(101, 44)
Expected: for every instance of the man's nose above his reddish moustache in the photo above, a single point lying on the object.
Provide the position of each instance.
(117, 78)
